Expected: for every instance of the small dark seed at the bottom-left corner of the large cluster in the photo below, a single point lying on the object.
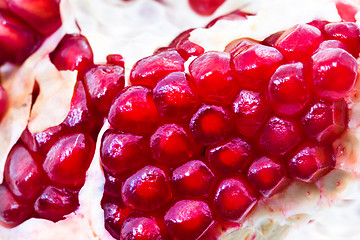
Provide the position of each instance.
(115, 215)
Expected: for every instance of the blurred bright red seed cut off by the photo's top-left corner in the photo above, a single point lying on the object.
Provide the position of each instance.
(43, 16)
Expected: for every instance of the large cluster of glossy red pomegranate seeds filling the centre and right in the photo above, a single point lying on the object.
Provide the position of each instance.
(189, 148)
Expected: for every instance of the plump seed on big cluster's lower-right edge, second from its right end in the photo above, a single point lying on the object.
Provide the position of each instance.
(267, 176)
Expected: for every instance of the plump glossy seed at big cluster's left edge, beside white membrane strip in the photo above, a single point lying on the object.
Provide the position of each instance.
(123, 152)
